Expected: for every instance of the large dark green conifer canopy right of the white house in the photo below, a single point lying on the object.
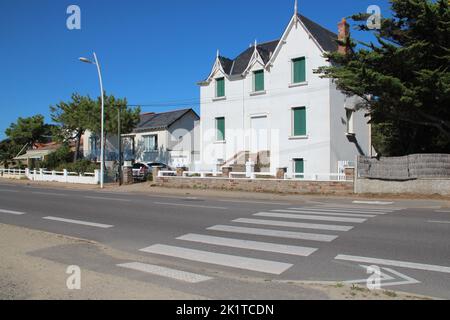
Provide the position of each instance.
(403, 79)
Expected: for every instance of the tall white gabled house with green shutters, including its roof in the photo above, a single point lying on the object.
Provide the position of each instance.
(268, 106)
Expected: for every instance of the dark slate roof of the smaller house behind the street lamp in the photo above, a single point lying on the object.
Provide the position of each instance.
(157, 121)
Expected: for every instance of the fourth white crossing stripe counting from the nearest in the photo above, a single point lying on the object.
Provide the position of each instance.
(275, 233)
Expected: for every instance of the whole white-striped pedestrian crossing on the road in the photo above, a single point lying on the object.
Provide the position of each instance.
(323, 223)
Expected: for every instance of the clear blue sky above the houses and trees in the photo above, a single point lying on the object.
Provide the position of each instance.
(152, 52)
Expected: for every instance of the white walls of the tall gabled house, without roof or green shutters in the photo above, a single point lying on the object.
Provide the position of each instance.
(264, 121)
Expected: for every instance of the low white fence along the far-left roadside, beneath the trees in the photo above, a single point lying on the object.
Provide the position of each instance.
(52, 176)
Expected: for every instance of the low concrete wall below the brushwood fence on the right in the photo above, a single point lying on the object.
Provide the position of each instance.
(419, 186)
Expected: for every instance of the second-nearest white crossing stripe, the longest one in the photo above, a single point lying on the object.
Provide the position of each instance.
(265, 266)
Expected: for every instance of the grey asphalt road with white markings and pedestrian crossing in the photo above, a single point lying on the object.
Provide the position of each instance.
(207, 246)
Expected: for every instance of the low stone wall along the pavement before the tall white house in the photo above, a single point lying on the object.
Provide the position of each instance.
(259, 185)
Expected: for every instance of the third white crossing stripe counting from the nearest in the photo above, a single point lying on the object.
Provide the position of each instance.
(251, 245)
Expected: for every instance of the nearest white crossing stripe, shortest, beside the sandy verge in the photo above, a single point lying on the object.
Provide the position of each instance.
(166, 272)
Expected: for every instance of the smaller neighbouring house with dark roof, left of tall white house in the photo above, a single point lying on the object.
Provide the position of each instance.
(167, 137)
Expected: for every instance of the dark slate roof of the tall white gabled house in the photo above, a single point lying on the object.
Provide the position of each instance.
(325, 38)
